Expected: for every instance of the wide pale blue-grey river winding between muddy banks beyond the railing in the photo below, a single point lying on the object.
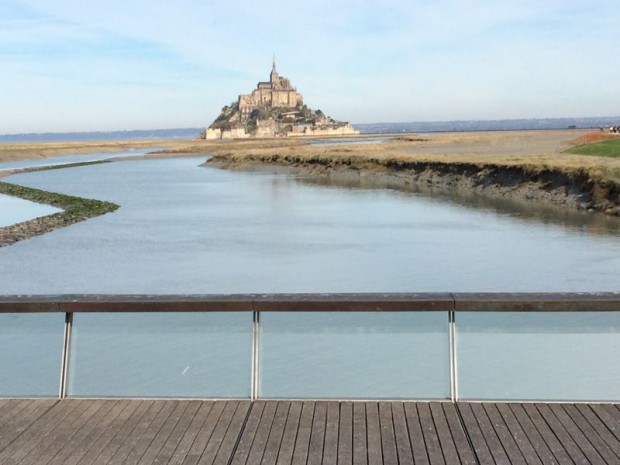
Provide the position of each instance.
(183, 228)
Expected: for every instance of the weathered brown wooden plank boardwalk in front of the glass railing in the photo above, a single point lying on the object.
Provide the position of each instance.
(81, 432)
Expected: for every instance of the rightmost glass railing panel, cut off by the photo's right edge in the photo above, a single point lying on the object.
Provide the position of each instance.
(538, 356)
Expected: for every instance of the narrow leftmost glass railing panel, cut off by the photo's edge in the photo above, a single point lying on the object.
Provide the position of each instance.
(31, 346)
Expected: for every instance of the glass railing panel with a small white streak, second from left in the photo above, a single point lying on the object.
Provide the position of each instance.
(161, 355)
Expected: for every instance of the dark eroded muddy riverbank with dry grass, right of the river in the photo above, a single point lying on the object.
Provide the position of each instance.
(575, 189)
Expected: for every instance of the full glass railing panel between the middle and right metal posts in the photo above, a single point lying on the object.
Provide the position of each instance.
(367, 355)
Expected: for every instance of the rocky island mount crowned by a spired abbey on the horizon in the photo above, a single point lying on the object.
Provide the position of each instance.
(274, 109)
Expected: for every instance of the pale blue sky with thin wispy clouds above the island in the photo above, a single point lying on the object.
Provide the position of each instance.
(77, 65)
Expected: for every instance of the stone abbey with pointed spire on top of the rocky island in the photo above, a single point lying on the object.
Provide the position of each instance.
(277, 92)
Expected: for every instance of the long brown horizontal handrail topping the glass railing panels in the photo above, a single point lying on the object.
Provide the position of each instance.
(376, 302)
